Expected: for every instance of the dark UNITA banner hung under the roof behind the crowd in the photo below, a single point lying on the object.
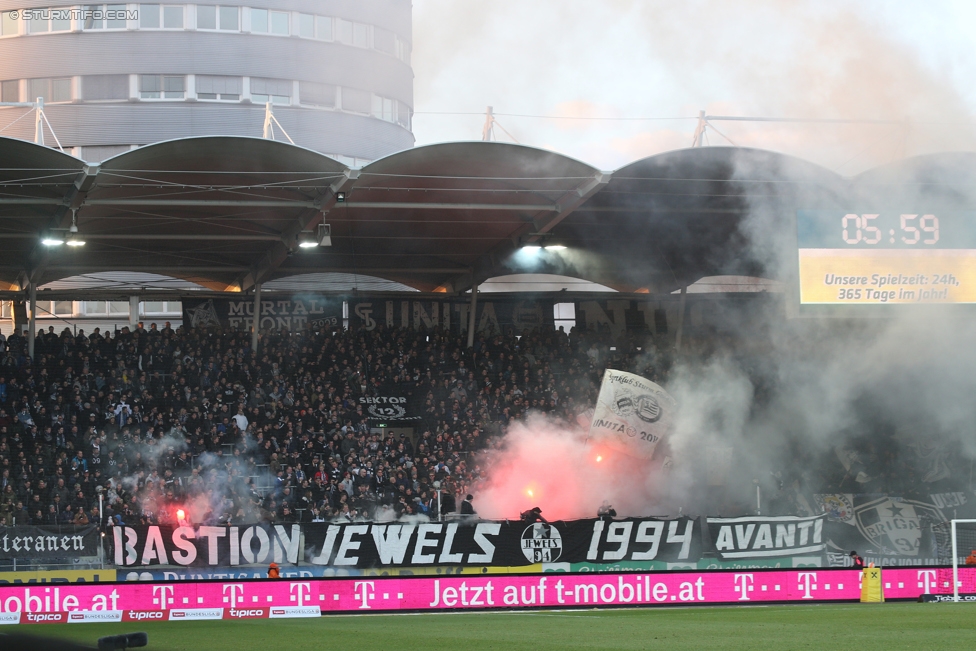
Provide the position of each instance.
(500, 316)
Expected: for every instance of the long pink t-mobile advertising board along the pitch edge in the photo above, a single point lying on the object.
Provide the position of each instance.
(183, 601)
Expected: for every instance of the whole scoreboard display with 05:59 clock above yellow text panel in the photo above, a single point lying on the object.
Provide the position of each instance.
(886, 257)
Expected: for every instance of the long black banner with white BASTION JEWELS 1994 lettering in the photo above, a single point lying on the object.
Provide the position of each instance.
(373, 545)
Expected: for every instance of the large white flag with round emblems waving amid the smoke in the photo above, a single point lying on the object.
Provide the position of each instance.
(632, 414)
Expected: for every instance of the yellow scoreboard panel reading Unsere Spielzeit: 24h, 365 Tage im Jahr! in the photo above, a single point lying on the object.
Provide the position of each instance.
(884, 276)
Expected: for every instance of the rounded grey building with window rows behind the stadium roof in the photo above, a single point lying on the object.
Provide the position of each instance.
(115, 76)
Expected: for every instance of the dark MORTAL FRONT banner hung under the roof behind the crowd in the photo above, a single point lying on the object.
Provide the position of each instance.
(293, 314)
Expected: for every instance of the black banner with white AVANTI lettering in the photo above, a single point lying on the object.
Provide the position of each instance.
(755, 537)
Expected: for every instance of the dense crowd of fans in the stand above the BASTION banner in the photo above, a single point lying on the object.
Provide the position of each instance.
(150, 422)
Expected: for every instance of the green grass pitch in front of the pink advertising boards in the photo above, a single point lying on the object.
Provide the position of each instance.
(860, 627)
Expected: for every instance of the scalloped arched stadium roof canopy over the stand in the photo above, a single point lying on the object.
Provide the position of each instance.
(225, 212)
